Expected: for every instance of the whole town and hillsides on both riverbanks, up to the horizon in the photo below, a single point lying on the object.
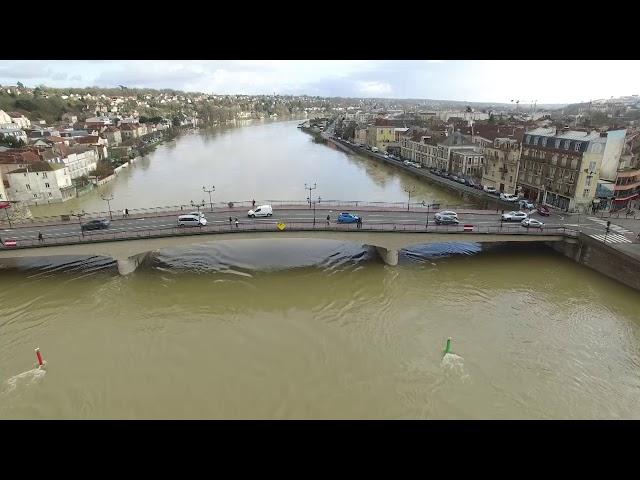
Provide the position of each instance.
(57, 144)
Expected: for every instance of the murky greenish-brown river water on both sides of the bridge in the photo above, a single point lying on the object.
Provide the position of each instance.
(311, 329)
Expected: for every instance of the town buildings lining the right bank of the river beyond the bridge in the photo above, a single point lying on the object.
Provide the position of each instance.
(580, 158)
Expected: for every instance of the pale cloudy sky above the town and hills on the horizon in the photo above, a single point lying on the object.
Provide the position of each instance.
(547, 81)
